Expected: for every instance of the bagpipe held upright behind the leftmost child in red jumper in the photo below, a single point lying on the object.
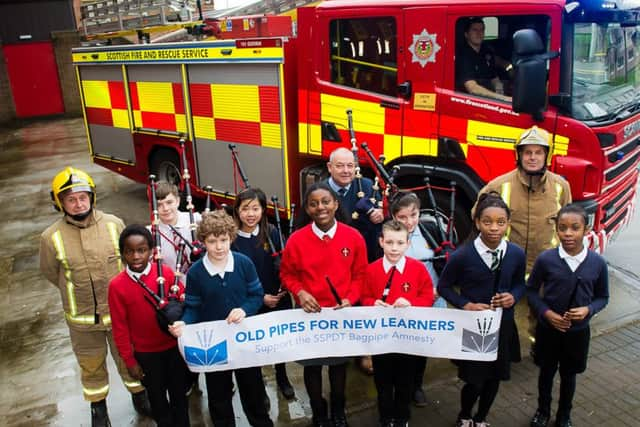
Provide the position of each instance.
(169, 307)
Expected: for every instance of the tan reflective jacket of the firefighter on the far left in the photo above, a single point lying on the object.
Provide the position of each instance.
(80, 260)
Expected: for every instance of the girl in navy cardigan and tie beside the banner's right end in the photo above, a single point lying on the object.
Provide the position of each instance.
(490, 273)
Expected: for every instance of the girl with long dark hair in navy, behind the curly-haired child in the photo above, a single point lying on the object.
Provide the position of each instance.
(260, 241)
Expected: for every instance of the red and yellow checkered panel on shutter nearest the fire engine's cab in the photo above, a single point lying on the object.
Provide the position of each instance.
(246, 114)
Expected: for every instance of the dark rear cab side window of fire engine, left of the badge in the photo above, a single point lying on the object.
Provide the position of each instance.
(363, 54)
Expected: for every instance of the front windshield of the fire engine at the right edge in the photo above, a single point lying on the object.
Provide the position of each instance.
(606, 71)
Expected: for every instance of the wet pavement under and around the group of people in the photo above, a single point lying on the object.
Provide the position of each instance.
(39, 379)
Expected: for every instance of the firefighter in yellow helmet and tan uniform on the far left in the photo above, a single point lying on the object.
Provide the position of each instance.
(79, 254)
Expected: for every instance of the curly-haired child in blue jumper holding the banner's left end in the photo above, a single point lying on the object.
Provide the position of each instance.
(224, 285)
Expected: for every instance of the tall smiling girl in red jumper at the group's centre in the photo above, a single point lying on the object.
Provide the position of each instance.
(323, 265)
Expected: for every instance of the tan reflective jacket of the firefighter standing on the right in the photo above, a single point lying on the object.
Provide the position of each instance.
(533, 210)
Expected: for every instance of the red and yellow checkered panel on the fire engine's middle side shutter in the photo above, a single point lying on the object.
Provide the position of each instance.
(158, 105)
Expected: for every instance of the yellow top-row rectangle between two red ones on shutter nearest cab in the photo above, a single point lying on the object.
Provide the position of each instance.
(236, 102)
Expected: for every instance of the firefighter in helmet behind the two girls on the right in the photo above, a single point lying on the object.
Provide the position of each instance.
(535, 195)
